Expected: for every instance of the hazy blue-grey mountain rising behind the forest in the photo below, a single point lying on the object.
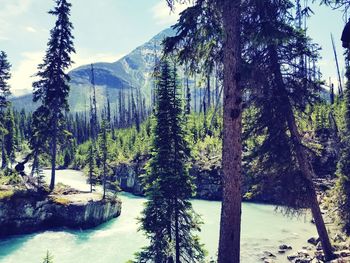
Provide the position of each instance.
(131, 72)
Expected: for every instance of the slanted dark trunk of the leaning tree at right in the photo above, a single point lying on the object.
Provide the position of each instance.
(301, 155)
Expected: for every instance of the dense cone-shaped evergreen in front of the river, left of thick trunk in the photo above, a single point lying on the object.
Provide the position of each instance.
(168, 218)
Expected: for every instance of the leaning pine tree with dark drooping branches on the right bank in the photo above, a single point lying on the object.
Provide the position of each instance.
(285, 90)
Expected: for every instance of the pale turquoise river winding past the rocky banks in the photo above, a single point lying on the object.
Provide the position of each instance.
(263, 229)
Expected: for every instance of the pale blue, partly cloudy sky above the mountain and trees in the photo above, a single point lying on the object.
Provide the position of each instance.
(105, 30)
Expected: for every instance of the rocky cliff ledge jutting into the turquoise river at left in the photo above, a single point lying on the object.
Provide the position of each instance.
(29, 212)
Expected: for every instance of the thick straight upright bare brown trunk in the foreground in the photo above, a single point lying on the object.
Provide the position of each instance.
(230, 225)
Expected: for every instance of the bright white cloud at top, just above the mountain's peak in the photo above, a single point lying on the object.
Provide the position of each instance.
(163, 15)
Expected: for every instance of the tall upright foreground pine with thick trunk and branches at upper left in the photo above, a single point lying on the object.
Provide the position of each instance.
(200, 29)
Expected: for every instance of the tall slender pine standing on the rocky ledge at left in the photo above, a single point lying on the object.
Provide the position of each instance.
(52, 88)
